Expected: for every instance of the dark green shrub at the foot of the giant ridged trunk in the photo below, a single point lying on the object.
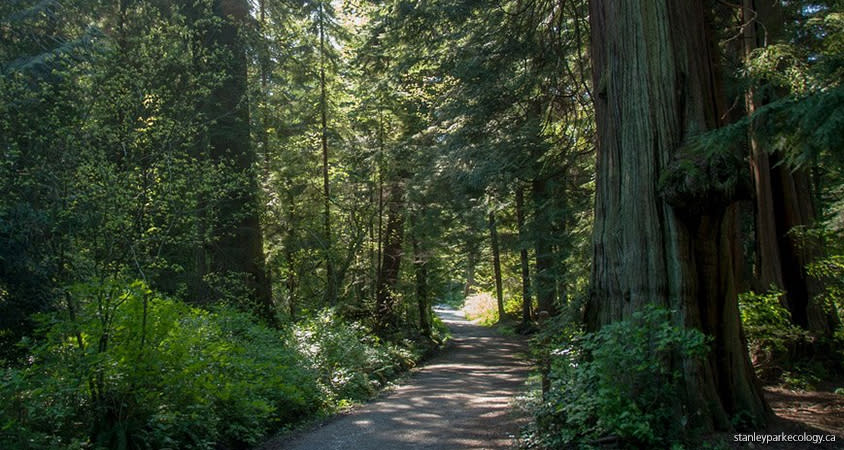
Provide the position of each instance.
(620, 381)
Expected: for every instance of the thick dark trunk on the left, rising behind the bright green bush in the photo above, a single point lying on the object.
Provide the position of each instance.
(239, 245)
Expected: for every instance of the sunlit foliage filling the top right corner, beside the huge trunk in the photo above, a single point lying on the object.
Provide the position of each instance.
(800, 77)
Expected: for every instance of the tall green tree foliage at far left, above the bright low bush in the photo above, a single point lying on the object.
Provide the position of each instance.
(104, 144)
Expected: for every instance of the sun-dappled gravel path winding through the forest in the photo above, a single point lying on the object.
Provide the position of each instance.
(461, 399)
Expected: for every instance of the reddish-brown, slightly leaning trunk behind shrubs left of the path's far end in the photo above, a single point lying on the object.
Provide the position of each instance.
(388, 277)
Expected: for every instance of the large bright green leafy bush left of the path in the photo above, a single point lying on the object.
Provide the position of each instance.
(133, 370)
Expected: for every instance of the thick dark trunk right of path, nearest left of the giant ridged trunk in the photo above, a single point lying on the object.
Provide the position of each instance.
(545, 280)
